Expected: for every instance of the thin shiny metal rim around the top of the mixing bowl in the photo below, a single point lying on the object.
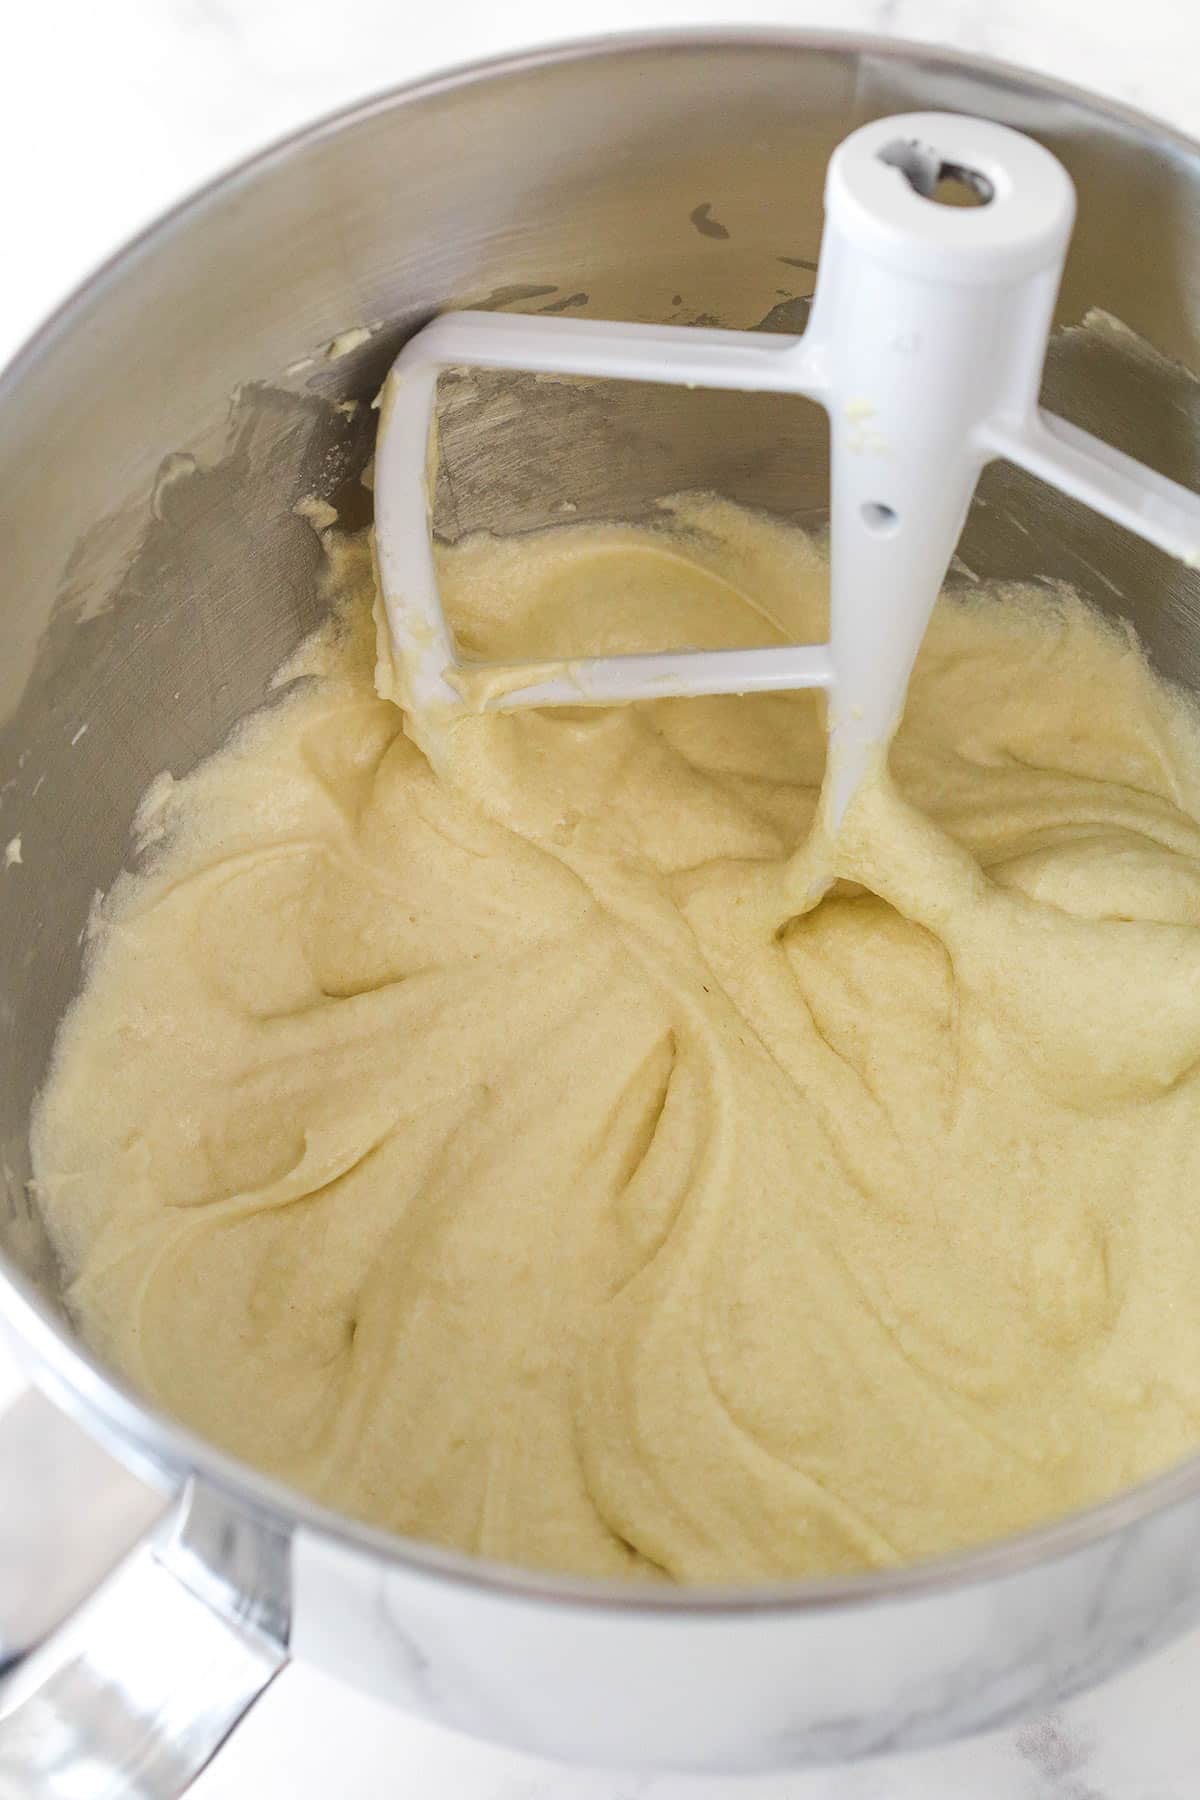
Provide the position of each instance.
(165, 1452)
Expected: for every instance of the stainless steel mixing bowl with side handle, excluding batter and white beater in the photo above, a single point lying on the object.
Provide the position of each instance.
(154, 442)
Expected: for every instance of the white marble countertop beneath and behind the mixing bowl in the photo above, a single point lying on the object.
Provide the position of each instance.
(112, 111)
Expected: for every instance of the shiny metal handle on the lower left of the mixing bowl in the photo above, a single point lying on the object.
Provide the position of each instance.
(125, 1687)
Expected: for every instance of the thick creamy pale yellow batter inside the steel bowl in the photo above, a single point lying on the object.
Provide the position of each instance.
(517, 1160)
